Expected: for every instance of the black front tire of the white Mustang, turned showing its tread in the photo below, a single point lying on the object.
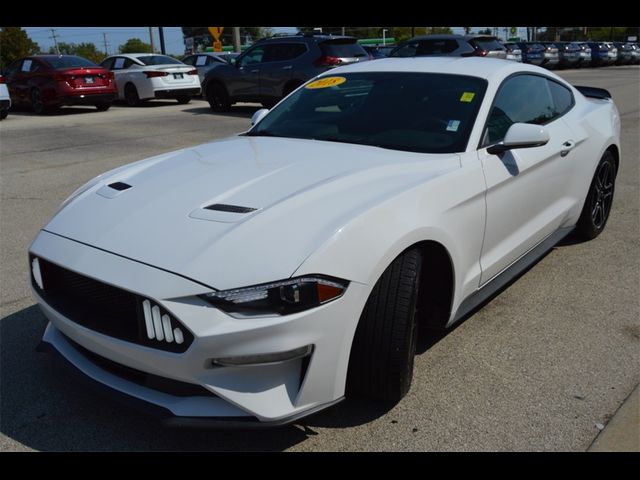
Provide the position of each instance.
(384, 346)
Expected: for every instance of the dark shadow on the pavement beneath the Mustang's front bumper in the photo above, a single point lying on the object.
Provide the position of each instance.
(43, 408)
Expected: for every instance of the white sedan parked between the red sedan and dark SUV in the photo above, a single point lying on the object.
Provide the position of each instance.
(143, 76)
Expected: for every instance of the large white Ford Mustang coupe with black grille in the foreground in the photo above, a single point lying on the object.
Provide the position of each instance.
(260, 278)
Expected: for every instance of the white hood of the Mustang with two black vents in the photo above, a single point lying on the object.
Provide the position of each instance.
(296, 195)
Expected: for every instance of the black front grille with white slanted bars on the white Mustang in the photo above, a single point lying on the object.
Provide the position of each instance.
(107, 309)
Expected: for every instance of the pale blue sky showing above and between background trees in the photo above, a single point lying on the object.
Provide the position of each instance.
(116, 36)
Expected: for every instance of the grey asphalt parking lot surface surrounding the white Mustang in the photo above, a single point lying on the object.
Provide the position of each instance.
(538, 368)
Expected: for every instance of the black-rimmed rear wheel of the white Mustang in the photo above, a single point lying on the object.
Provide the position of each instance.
(597, 205)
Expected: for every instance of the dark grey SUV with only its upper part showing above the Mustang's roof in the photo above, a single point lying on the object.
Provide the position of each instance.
(453, 45)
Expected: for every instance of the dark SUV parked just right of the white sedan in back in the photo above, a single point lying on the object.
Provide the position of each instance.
(274, 67)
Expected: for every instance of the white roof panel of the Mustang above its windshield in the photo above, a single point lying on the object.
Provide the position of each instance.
(487, 68)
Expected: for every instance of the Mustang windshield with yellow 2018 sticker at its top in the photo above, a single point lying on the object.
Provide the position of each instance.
(416, 112)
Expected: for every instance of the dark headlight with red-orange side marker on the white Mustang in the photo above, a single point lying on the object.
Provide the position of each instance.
(281, 298)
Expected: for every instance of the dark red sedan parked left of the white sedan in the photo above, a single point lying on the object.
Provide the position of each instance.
(46, 82)
